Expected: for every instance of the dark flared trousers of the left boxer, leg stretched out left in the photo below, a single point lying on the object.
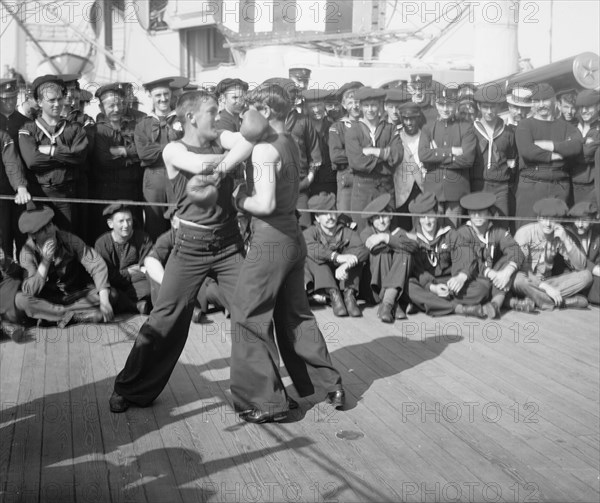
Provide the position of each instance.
(162, 337)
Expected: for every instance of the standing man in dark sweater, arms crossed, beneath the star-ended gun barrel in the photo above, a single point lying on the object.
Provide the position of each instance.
(545, 148)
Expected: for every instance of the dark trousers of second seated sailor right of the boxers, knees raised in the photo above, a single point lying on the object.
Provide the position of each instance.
(389, 269)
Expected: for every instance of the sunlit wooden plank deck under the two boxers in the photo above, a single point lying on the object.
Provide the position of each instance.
(450, 409)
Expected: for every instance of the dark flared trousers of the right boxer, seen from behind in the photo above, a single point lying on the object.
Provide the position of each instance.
(270, 296)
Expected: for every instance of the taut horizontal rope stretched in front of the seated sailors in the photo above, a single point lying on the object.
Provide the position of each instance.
(337, 212)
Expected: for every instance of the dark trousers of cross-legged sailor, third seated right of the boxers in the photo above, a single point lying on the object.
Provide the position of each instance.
(473, 293)
